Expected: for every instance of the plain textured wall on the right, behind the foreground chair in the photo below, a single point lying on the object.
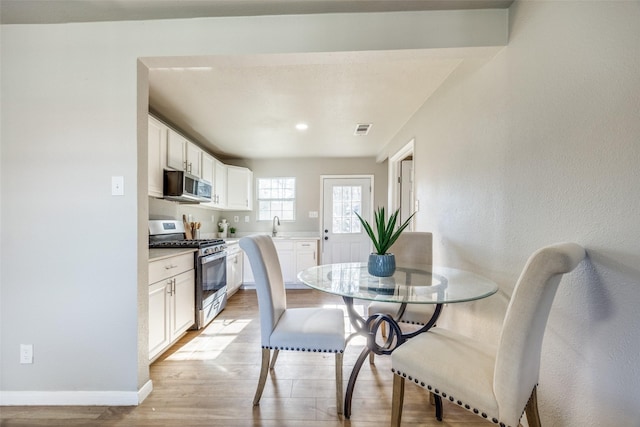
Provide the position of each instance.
(540, 145)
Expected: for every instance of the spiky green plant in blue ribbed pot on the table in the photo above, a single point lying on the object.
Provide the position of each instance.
(381, 262)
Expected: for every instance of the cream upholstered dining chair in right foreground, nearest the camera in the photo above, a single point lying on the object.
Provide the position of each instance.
(495, 382)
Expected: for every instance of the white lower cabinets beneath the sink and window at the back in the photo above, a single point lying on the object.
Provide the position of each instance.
(295, 255)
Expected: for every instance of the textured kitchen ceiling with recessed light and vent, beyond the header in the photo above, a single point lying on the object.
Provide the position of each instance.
(251, 110)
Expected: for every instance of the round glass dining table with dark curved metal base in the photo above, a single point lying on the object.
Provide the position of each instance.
(415, 284)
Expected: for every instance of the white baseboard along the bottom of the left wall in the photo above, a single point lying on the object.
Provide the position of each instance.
(75, 398)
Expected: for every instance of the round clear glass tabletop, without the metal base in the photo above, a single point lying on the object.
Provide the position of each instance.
(409, 284)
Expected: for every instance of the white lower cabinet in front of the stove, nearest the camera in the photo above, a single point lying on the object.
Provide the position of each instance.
(171, 301)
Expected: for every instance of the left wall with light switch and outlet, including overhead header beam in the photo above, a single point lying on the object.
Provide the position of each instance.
(70, 117)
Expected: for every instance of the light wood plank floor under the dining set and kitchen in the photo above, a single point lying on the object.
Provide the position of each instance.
(209, 379)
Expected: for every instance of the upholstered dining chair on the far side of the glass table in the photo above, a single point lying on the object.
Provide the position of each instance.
(411, 248)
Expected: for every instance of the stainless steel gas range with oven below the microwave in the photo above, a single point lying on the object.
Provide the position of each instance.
(210, 261)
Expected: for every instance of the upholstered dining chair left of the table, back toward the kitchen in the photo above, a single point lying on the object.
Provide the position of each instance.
(311, 329)
